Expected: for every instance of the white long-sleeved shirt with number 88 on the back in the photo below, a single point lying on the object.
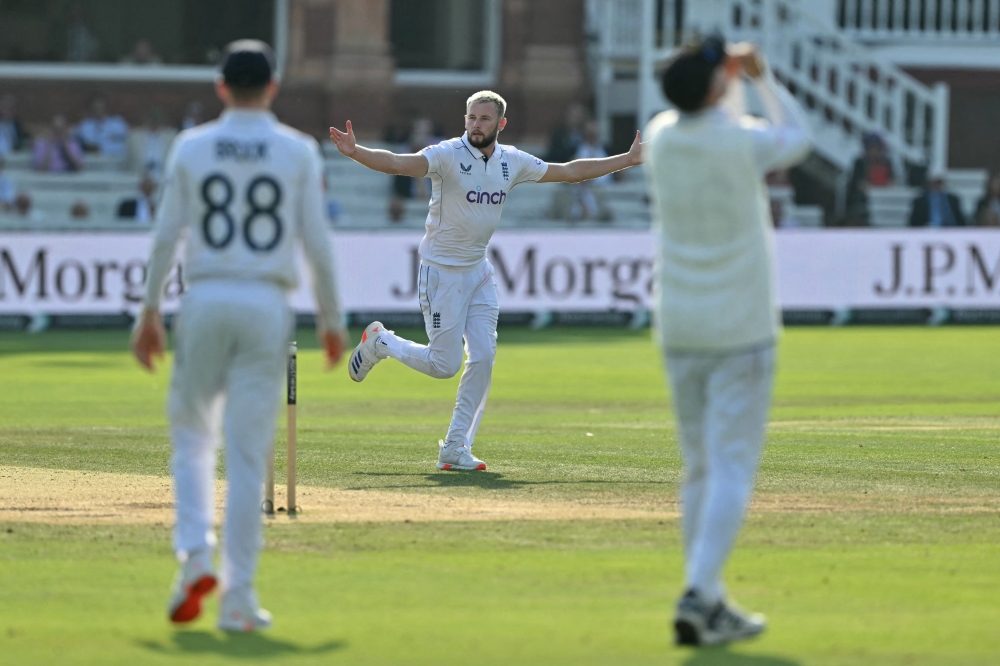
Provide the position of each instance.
(244, 191)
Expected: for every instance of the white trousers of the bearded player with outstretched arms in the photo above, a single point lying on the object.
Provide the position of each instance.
(457, 303)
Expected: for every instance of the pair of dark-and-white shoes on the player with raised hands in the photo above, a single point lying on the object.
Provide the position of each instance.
(704, 623)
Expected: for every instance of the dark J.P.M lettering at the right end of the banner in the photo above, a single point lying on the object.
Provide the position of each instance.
(937, 269)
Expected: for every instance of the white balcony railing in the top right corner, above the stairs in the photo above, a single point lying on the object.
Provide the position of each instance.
(908, 20)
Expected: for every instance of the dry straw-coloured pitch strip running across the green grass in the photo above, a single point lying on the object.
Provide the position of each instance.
(65, 496)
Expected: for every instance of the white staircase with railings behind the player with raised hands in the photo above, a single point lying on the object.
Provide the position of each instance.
(846, 88)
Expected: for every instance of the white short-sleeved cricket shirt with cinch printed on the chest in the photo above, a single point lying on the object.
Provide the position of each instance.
(468, 193)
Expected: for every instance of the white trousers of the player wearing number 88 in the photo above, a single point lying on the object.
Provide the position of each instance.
(231, 342)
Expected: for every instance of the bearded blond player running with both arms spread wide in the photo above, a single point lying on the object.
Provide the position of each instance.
(471, 178)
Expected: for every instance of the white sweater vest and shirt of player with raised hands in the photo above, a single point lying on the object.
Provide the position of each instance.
(712, 215)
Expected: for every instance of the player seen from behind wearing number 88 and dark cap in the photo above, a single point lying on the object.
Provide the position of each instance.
(243, 191)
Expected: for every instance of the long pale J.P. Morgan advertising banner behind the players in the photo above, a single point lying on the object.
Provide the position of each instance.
(564, 276)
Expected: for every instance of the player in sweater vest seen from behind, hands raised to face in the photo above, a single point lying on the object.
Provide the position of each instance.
(718, 315)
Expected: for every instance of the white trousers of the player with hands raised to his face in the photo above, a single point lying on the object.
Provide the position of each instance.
(721, 402)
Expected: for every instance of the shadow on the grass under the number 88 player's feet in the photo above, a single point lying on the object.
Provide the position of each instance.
(248, 646)
